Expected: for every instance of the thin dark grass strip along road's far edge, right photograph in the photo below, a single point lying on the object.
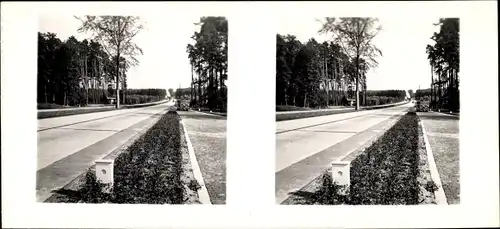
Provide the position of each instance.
(292, 115)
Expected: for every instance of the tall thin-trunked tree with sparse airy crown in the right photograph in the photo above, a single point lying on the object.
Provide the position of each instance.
(355, 36)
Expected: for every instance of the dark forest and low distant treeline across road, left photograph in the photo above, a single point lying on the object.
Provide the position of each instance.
(78, 73)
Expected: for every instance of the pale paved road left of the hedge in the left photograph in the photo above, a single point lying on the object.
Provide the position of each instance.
(68, 145)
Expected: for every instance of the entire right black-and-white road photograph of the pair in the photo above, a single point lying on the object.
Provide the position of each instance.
(367, 111)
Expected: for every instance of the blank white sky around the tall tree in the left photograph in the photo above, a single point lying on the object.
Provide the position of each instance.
(165, 63)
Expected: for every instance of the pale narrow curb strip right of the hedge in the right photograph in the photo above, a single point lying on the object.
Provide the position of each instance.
(439, 193)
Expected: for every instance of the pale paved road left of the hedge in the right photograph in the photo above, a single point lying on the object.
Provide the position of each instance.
(305, 147)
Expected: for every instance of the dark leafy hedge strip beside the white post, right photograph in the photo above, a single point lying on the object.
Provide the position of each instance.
(392, 171)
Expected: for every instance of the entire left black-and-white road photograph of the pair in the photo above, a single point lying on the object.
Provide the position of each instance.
(129, 112)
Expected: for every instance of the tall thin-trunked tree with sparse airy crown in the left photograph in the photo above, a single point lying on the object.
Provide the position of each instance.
(116, 34)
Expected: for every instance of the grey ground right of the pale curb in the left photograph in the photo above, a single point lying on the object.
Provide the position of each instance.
(208, 137)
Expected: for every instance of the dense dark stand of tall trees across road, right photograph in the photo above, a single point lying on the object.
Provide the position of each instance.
(314, 74)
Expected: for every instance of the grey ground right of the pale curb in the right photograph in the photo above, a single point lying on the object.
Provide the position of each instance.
(443, 133)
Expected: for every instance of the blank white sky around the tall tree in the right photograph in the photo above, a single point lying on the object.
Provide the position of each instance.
(404, 63)
